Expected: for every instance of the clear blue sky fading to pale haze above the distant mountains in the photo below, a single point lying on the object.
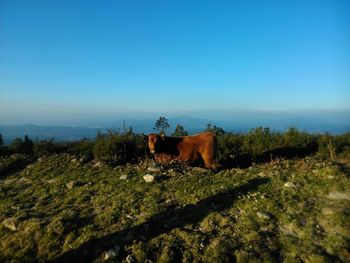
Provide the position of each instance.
(66, 57)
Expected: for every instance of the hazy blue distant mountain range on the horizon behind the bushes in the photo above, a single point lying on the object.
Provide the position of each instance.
(191, 124)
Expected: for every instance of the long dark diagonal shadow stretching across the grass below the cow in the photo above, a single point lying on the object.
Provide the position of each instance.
(162, 223)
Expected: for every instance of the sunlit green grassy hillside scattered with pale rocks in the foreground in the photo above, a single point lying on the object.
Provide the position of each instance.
(60, 209)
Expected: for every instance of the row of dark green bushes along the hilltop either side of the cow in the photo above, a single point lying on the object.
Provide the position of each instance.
(234, 149)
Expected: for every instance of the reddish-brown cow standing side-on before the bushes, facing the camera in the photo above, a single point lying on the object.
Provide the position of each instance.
(187, 148)
